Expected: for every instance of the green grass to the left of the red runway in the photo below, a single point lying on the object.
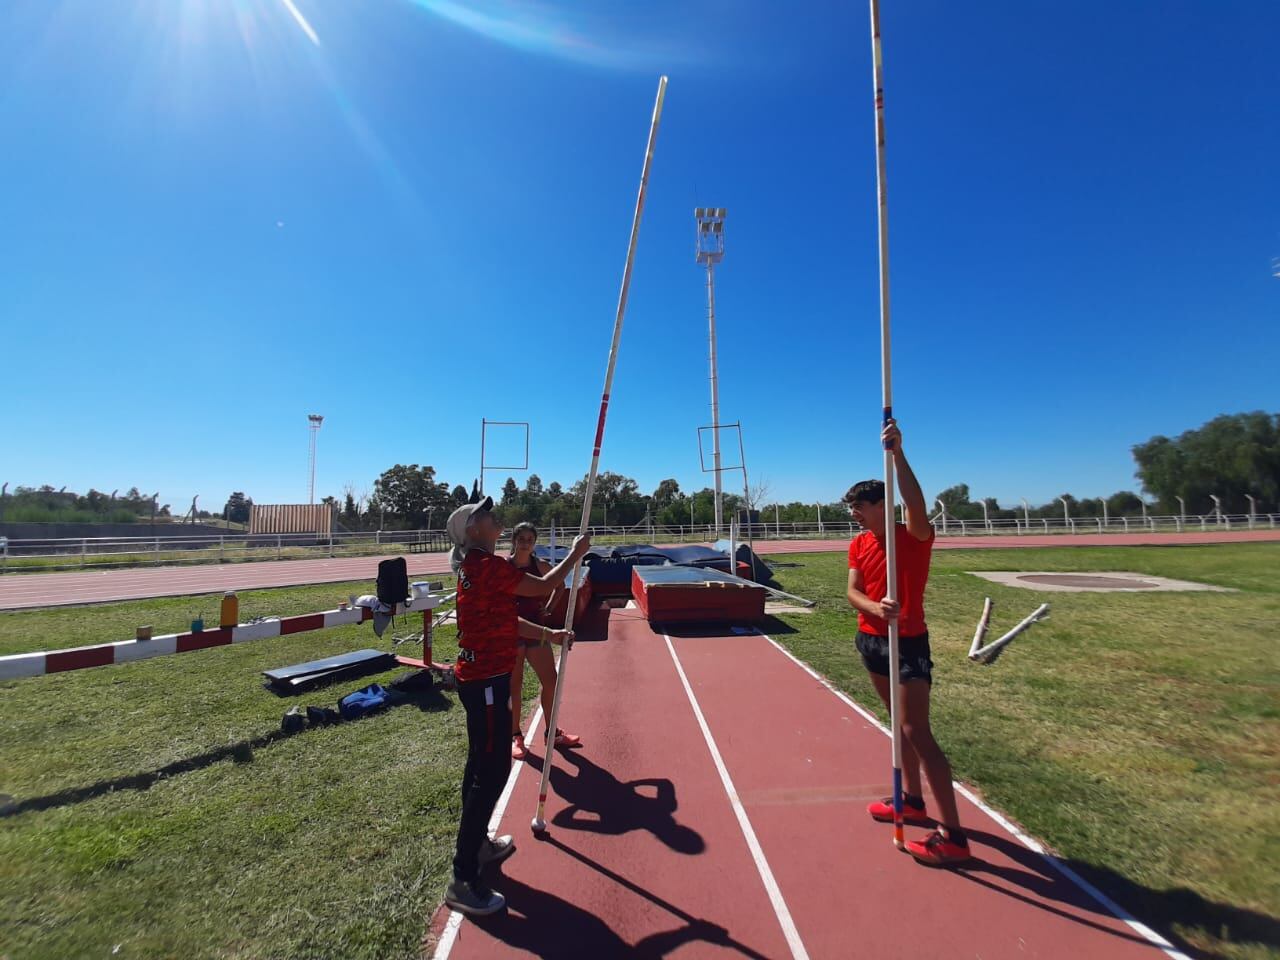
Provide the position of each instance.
(335, 843)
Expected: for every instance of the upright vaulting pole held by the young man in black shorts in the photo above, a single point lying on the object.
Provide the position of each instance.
(888, 381)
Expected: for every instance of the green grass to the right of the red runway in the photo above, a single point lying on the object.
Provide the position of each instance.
(1137, 734)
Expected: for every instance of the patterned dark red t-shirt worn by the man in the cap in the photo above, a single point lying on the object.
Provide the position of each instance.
(488, 620)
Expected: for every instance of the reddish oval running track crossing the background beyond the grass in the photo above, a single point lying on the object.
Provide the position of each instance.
(28, 591)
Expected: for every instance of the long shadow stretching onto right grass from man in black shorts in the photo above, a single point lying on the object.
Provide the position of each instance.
(1160, 909)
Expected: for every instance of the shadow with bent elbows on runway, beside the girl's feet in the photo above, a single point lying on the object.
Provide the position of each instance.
(600, 803)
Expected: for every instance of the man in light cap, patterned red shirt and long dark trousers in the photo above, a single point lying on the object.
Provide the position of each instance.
(490, 629)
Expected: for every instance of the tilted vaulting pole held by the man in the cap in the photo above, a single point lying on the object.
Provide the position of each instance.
(540, 824)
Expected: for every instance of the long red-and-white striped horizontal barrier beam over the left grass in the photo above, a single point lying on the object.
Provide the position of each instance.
(34, 665)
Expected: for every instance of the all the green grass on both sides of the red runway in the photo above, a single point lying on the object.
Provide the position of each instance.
(161, 811)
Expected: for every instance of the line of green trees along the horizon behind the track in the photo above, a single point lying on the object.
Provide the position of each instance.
(1232, 458)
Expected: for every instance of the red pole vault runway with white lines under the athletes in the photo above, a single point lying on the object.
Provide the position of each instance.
(657, 847)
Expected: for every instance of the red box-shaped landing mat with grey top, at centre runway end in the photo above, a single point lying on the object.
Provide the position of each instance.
(688, 596)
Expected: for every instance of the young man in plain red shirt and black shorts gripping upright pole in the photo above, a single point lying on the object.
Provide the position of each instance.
(867, 580)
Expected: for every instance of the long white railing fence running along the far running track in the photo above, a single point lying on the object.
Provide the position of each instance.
(235, 548)
